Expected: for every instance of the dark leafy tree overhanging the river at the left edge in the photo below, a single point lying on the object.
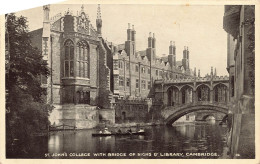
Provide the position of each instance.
(27, 112)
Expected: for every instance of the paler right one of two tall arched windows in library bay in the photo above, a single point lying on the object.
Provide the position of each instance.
(83, 59)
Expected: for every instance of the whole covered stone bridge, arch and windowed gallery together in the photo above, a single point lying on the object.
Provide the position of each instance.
(183, 96)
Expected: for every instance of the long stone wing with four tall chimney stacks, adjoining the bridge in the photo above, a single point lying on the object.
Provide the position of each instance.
(134, 73)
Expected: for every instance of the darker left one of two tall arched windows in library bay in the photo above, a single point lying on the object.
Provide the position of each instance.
(69, 59)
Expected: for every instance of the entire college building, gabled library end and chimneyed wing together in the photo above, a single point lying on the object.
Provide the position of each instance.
(91, 78)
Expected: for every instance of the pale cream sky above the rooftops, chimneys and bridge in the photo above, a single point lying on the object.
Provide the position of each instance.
(200, 27)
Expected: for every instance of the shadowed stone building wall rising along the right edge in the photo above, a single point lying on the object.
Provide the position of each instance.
(239, 24)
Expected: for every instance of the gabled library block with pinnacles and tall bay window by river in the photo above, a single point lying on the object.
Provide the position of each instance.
(79, 85)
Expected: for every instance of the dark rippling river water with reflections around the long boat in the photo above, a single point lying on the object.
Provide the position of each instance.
(200, 138)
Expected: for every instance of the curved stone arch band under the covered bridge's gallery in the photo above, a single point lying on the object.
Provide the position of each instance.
(178, 113)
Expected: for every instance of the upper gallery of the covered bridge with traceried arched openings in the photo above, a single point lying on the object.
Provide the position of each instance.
(184, 91)
